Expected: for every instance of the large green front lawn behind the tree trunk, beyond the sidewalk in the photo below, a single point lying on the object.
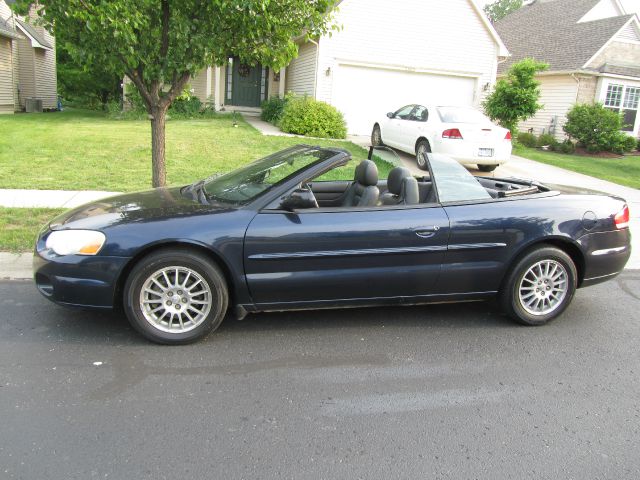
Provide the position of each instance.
(82, 150)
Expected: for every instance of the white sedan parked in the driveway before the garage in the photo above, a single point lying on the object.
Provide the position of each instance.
(462, 133)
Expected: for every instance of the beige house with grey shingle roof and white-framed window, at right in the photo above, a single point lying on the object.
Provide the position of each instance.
(593, 51)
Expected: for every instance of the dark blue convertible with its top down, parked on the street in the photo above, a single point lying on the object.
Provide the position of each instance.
(288, 232)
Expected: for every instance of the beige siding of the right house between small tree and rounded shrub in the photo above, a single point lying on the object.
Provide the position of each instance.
(557, 95)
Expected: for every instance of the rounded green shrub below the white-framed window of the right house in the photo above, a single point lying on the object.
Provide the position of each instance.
(595, 127)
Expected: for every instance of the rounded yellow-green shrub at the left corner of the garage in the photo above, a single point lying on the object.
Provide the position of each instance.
(307, 116)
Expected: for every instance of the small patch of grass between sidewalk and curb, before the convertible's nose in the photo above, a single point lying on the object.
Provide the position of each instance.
(19, 226)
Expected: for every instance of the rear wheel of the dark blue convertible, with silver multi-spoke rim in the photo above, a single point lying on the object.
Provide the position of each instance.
(519, 296)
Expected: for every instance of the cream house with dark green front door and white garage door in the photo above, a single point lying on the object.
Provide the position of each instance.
(387, 54)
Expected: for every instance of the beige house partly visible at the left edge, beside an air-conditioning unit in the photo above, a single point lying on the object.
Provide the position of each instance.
(27, 63)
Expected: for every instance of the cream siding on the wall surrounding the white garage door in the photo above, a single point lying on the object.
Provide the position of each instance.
(439, 48)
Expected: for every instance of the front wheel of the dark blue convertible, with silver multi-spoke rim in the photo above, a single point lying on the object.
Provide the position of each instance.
(207, 310)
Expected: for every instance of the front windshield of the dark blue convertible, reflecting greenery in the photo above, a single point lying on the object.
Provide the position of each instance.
(245, 184)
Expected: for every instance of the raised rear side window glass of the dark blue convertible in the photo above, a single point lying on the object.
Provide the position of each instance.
(453, 182)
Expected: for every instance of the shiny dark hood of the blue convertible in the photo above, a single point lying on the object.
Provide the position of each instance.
(158, 203)
